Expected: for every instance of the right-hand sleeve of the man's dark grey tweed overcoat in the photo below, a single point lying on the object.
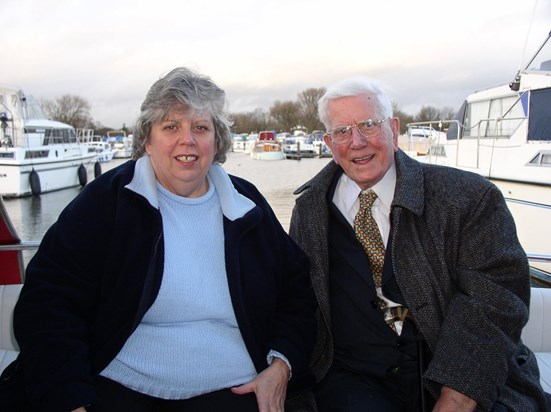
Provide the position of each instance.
(486, 304)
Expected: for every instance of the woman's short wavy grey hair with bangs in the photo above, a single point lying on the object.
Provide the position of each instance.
(197, 93)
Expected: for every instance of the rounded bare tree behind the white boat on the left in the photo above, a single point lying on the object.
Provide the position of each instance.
(70, 109)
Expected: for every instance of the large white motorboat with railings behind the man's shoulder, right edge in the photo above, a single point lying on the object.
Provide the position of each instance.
(504, 134)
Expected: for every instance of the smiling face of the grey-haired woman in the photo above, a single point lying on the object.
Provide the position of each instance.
(182, 149)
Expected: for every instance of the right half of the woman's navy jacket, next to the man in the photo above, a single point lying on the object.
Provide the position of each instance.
(278, 298)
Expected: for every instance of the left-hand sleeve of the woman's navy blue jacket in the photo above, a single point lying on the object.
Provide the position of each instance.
(55, 309)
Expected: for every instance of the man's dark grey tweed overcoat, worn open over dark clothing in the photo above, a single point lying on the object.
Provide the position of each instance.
(461, 271)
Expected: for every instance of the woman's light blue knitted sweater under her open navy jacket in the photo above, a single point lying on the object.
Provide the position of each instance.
(188, 342)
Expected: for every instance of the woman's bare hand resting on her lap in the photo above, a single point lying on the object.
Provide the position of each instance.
(270, 387)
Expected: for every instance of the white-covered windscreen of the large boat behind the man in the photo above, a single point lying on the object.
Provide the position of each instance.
(495, 118)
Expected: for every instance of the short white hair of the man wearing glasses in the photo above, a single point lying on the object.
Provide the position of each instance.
(354, 87)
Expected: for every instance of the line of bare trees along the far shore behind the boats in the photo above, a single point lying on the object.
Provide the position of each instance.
(282, 116)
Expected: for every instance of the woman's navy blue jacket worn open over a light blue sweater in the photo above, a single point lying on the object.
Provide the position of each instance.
(99, 269)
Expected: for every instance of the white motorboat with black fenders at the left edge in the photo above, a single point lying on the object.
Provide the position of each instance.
(37, 155)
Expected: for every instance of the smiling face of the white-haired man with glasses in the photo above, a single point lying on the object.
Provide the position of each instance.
(364, 160)
